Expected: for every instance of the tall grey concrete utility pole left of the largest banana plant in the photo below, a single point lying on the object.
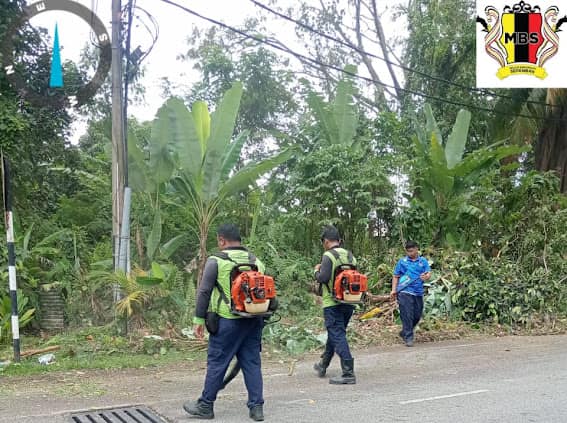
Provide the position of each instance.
(117, 131)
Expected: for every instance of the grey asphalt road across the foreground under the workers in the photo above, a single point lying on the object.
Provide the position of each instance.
(511, 379)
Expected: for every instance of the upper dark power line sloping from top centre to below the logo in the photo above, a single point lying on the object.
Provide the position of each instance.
(407, 69)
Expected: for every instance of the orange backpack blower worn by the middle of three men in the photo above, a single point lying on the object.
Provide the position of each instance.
(349, 285)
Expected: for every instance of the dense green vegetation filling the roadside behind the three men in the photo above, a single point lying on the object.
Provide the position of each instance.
(282, 156)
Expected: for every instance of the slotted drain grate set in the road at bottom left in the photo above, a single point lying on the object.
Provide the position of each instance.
(118, 415)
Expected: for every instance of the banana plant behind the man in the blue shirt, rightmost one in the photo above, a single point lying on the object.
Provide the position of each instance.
(446, 173)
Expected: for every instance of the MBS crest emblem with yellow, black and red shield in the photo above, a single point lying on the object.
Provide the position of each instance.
(521, 39)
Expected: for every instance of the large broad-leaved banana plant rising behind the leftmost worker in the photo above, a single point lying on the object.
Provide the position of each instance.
(195, 153)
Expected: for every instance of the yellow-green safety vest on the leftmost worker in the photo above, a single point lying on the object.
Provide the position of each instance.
(224, 268)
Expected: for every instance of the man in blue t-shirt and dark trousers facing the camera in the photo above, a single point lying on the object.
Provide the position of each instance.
(407, 287)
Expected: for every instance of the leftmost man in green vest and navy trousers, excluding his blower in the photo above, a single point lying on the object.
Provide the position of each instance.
(229, 335)
